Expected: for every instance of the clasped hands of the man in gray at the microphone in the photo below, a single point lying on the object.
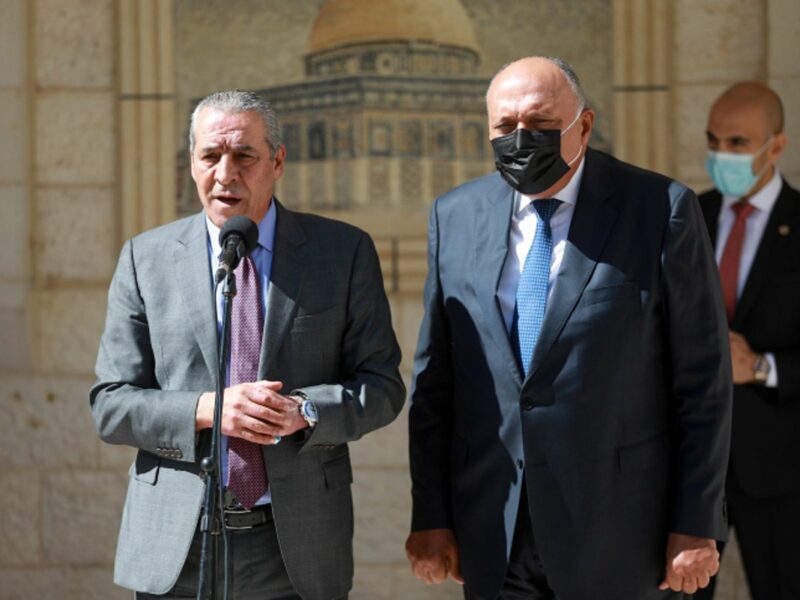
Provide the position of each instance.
(255, 412)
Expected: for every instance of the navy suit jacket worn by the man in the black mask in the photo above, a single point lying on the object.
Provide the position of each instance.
(621, 429)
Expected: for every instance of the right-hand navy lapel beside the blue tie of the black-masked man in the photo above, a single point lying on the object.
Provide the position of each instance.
(592, 221)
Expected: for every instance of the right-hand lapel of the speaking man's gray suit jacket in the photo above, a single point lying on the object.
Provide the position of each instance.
(286, 279)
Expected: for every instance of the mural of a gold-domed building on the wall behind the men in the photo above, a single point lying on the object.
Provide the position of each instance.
(386, 110)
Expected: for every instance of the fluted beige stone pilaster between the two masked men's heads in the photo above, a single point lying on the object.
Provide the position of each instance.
(642, 94)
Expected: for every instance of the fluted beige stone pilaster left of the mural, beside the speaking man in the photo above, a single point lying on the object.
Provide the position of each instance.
(147, 114)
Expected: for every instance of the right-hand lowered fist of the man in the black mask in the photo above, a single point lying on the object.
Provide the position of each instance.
(691, 562)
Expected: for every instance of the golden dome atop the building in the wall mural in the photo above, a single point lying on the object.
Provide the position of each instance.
(348, 22)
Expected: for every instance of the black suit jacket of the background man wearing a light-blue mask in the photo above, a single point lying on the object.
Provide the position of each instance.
(765, 445)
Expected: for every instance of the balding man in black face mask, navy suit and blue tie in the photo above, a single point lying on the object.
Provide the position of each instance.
(570, 415)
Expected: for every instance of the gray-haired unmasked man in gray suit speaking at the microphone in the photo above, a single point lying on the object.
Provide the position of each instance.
(327, 374)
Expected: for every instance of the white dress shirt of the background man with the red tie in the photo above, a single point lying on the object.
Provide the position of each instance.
(756, 224)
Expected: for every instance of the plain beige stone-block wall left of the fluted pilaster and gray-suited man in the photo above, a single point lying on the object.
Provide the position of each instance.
(61, 491)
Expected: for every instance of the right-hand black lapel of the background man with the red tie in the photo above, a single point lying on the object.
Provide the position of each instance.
(768, 256)
